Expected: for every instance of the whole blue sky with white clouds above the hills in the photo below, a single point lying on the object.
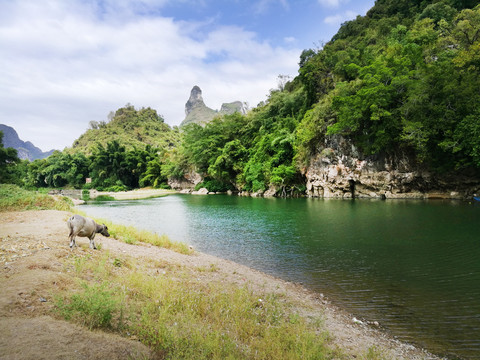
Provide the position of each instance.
(64, 63)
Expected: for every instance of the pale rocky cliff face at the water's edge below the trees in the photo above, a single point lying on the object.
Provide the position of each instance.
(341, 171)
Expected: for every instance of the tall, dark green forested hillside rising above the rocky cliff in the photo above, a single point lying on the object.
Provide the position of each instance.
(404, 78)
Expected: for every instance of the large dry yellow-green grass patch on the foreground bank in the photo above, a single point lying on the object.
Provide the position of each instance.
(182, 317)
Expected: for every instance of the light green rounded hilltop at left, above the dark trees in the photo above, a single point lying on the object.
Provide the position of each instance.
(131, 128)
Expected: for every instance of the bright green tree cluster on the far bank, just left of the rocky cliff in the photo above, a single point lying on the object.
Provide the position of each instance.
(240, 152)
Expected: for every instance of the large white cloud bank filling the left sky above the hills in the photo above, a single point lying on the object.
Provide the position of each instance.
(64, 64)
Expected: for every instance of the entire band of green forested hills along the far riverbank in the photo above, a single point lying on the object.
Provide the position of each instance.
(402, 79)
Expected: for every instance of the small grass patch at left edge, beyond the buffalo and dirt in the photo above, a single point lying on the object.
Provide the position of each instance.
(14, 198)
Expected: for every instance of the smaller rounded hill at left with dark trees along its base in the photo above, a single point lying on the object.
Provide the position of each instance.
(126, 152)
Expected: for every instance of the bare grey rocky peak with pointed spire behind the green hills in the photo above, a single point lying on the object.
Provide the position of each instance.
(197, 112)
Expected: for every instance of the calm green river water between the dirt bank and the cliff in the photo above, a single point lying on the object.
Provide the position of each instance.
(413, 266)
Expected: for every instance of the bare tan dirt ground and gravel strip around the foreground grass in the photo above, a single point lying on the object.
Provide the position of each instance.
(33, 245)
